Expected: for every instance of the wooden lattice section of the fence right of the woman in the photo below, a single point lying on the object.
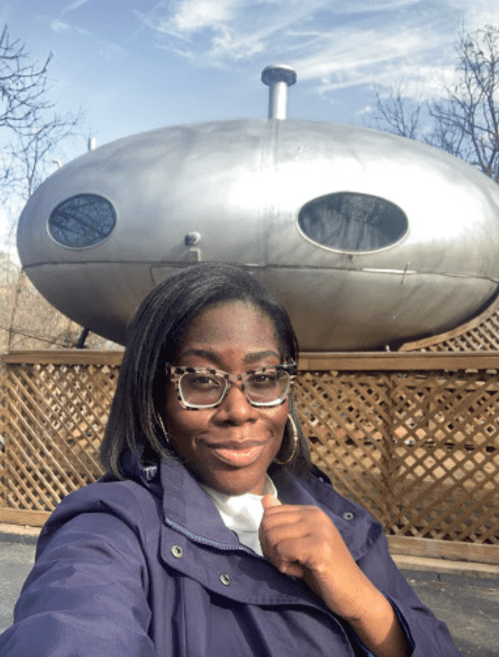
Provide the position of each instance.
(419, 450)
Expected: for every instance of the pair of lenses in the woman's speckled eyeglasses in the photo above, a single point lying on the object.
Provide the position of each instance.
(260, 387)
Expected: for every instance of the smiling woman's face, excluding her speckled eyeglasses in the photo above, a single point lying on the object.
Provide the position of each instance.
(228, 448)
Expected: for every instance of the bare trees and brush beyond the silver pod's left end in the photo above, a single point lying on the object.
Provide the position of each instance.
(30, 131)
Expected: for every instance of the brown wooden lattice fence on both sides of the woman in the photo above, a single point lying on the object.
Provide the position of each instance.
(414, 438)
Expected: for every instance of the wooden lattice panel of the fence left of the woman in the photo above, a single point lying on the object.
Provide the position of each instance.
(52, 431)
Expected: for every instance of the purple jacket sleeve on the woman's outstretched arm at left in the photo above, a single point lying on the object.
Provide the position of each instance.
(87, 592)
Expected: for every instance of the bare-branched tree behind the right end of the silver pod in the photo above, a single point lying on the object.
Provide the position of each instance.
(464, 121)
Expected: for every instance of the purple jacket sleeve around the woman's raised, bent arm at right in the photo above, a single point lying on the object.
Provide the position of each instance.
(427, 636)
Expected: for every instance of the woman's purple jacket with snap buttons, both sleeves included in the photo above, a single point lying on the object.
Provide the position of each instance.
(145, 567)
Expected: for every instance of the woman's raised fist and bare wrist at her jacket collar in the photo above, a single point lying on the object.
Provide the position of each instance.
(302, 541)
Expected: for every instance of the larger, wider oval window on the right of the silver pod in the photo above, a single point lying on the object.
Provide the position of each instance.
(347, 221)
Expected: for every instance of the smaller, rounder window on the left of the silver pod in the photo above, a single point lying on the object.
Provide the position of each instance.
(82, 220)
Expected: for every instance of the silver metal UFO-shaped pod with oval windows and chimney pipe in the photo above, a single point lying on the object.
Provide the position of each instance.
(367, 238)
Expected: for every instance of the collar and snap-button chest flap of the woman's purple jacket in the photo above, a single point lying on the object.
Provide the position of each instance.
(194, 540)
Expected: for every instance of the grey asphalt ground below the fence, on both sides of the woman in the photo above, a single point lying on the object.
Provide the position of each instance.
(469, 606)
